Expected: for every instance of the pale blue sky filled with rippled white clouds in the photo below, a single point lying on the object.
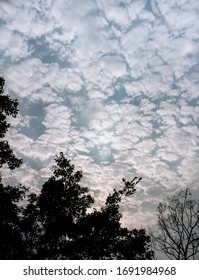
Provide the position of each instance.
(112, 84)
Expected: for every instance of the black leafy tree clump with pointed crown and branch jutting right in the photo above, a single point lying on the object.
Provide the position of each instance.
(57, 225)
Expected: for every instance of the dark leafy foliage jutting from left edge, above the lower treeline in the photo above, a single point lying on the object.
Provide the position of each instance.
(8, 107)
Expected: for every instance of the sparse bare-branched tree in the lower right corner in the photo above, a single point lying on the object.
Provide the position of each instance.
(178, 227)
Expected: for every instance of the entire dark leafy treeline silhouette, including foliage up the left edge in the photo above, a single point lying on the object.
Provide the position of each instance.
(55, 223)
